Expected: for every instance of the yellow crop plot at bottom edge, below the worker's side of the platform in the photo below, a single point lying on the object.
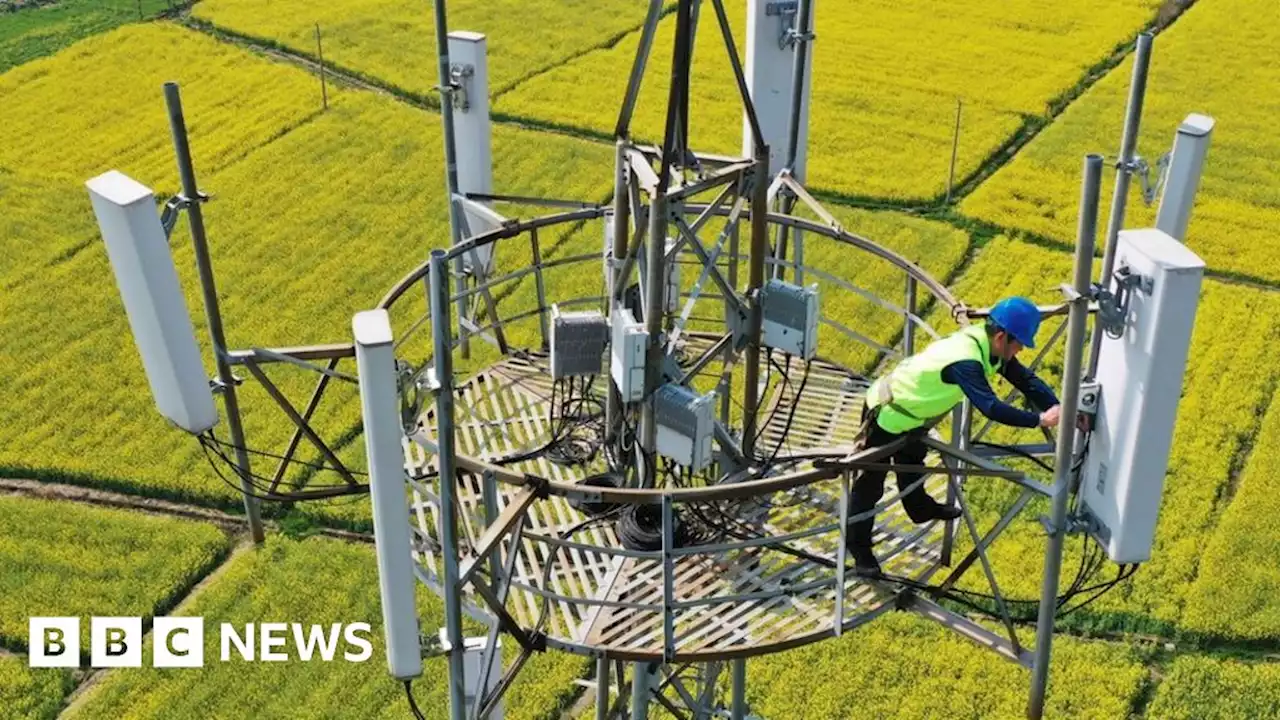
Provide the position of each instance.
(902, 667)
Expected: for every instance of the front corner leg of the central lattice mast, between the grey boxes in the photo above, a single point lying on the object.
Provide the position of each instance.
(653, 312)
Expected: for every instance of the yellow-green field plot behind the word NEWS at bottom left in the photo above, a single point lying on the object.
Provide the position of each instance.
(310, 582)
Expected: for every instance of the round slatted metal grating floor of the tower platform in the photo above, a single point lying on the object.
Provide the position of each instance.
(592, 596)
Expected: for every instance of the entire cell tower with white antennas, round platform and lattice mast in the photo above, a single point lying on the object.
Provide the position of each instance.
(662, 481)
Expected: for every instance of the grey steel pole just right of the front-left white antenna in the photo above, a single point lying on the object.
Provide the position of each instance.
(447, 464)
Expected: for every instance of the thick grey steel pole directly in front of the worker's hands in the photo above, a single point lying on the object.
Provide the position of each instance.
(1078, 315)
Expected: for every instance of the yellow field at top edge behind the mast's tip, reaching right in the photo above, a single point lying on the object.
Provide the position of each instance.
(886, 81)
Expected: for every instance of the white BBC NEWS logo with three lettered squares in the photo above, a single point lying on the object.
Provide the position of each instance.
(180, 642)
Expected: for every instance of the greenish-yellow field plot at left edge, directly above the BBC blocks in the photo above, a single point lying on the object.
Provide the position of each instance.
(66, 559)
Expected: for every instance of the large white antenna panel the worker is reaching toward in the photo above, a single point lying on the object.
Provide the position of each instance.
(1141, 376)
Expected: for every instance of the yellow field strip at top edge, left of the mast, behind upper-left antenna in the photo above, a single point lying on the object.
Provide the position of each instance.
(395, 43)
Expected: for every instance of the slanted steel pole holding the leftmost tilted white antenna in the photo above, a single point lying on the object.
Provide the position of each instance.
(204, 265)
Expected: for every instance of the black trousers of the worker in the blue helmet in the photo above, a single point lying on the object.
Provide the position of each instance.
(870, 486)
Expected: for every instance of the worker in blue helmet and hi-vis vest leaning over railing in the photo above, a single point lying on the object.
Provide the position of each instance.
(922, 390)
